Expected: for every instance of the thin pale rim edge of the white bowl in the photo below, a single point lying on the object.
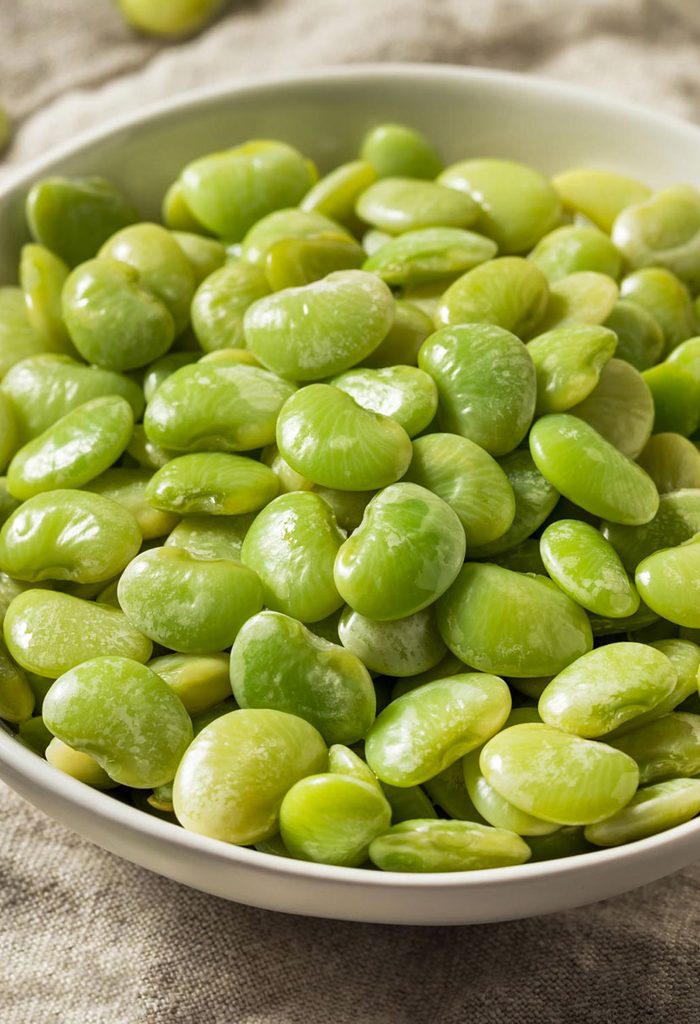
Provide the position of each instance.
(23, 763)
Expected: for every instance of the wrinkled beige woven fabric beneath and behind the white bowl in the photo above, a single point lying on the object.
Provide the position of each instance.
(86, 938)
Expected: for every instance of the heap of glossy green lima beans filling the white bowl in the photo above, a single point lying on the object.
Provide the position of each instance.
(327, 486)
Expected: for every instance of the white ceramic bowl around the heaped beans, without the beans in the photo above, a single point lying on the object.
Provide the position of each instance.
(326, 113)
